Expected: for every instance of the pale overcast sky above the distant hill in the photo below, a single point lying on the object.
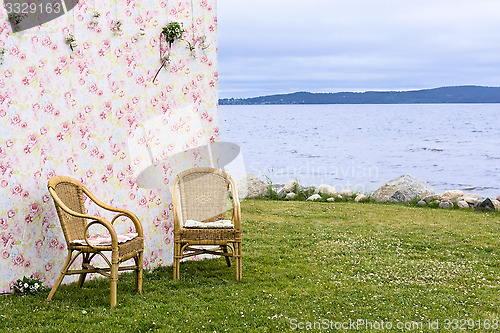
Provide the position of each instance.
(281, 46)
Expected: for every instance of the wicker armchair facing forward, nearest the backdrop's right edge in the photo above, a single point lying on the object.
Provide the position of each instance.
(200, 198)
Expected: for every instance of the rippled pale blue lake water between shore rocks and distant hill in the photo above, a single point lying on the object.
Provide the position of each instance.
(361, 147)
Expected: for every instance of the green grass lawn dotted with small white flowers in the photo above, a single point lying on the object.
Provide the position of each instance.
(305, 265)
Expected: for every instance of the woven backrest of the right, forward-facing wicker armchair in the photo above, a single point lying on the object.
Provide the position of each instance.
(203, 194)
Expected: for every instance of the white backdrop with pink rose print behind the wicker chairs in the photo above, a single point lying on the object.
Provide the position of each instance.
(94, 113)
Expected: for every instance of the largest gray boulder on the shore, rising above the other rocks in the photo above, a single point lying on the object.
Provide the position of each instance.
(402, 189)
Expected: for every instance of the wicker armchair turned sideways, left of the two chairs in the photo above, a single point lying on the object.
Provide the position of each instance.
(67, 194)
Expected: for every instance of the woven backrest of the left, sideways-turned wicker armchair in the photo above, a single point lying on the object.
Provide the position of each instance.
(68, 191)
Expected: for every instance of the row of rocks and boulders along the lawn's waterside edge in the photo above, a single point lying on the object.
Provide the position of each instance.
(405, 188)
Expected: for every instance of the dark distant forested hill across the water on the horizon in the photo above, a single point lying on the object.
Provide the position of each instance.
(460, 94)
